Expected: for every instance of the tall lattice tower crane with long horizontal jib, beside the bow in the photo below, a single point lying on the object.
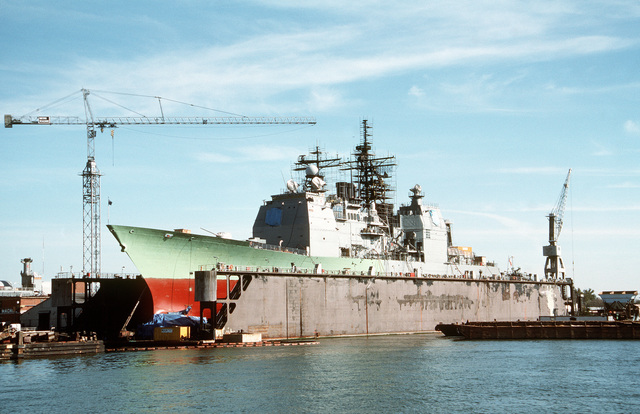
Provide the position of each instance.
(91, 253)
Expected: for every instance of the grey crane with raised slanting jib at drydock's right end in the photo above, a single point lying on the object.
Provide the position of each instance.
(554, 267)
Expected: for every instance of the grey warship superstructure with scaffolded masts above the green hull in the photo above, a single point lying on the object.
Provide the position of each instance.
(357, 220)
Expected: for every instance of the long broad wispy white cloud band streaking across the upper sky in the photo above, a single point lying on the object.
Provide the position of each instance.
(250, 71)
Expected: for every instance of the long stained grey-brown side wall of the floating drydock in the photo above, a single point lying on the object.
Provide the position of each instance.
(290, 306)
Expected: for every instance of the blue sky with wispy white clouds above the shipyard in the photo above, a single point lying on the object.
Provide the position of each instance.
(486, 105)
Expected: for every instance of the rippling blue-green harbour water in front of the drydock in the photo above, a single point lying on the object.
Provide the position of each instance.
(408, 373)
